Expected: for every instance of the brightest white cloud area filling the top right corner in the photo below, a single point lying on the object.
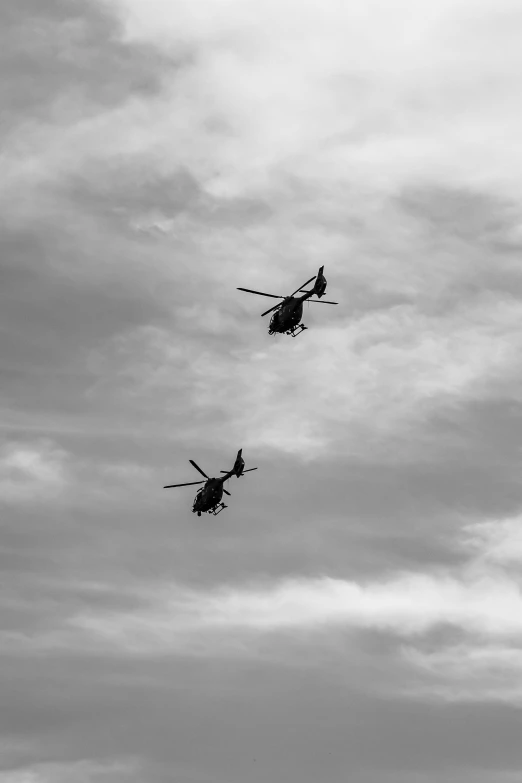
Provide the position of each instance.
(385, 94)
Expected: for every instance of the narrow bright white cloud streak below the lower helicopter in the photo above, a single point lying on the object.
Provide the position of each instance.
(407, 605)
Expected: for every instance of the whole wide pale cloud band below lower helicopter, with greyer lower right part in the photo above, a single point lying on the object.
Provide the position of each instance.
(477, 602)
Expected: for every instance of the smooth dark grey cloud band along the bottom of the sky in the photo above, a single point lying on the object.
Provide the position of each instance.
(245, 723)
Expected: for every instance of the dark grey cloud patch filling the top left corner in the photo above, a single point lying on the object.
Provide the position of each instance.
(66, 56)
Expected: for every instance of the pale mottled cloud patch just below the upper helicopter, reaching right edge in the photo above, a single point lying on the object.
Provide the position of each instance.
(375, 376)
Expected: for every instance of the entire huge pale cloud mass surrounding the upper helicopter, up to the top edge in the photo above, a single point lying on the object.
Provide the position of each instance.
(195, 163)
